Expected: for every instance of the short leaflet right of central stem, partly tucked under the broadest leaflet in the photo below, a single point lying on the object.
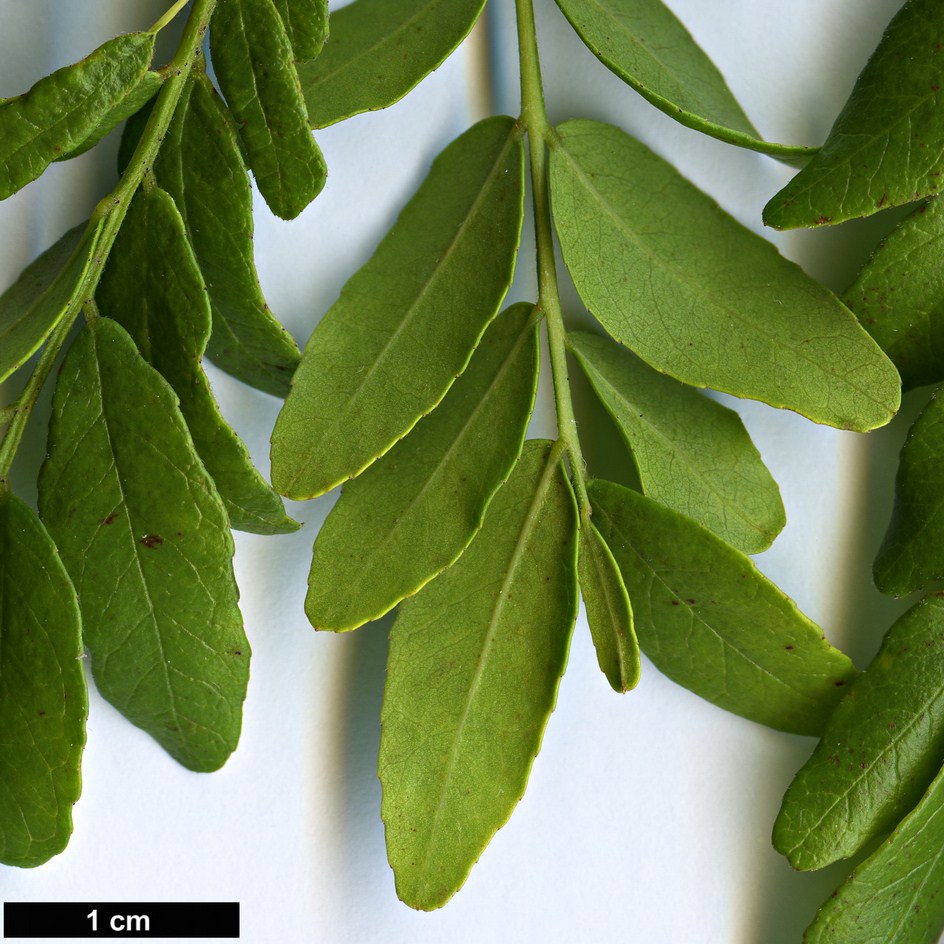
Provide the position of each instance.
(692, 453)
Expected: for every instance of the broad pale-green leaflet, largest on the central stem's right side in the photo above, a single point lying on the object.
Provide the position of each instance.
(698, 296)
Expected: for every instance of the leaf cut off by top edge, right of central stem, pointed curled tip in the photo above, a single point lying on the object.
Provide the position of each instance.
(644, 43)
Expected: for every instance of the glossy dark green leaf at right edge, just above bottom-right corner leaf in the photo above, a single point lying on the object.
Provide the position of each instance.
(880, 750)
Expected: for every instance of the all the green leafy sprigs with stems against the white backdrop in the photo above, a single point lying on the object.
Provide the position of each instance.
(416, 393)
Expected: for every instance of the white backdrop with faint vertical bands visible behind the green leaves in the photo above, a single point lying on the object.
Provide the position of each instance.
(648, 815)
